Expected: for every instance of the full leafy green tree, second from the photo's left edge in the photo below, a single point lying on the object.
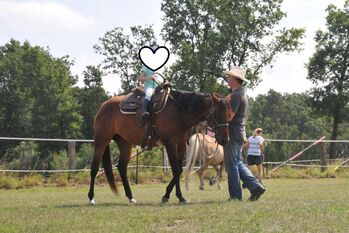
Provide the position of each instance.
(54, 112)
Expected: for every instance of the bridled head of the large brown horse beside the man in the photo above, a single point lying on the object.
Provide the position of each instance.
(218, 119)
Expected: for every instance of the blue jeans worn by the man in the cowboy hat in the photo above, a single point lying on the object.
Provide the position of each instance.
(237, 170)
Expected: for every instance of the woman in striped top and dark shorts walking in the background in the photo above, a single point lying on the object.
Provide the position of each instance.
(255, 148)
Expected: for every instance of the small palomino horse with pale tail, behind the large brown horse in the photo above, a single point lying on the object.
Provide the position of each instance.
(209, 152)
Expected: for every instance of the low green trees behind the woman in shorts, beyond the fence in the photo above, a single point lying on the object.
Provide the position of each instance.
(286, 117)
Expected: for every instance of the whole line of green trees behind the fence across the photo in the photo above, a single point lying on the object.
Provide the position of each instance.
(39, 96)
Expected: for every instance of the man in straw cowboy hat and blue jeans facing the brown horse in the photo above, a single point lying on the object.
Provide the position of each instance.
(232, 150)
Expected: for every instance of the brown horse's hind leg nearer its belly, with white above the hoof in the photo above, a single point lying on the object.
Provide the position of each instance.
(125, 152)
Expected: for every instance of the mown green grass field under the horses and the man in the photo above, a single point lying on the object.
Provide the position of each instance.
(289, 205)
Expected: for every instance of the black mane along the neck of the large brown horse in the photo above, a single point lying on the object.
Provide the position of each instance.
(189, 100)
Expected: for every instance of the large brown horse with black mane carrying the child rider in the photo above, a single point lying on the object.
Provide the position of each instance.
(173, 125)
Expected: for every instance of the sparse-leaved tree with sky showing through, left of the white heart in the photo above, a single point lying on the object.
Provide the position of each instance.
(121, 53)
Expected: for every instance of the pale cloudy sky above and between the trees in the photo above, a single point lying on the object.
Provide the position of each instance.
(71, 28)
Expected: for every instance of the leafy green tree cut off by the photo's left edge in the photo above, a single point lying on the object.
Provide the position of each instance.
(16, 101)
